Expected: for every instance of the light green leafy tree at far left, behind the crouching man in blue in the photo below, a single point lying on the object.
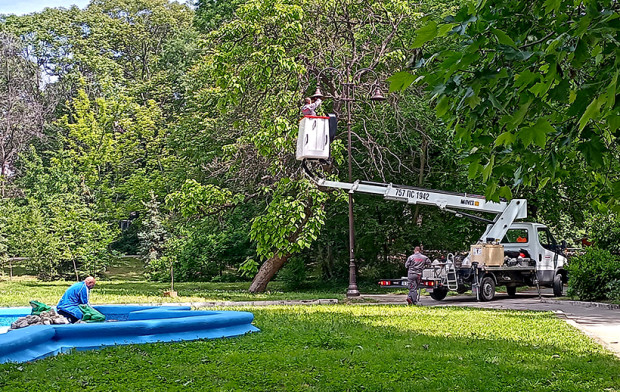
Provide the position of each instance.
(55, 223)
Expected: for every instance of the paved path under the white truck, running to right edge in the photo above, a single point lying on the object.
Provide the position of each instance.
(601, 322)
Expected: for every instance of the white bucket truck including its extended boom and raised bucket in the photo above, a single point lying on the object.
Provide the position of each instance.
(508, 253)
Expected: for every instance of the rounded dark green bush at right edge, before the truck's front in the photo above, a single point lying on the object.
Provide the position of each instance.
(594, 275)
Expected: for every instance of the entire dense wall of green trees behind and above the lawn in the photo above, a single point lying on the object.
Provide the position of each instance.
(183, 123)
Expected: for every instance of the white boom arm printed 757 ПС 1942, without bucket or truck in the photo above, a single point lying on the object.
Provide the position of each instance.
(506, 212)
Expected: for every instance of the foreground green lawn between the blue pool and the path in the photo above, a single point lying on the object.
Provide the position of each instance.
(344, 347)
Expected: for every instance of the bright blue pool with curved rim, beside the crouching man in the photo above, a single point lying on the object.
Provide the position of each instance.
(133, 325)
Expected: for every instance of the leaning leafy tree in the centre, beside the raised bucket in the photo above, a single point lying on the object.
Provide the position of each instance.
(244, 109)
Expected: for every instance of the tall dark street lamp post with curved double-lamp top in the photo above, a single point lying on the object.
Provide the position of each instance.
(348, 96)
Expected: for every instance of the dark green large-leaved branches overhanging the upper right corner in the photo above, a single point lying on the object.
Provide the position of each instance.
(530, 91)
